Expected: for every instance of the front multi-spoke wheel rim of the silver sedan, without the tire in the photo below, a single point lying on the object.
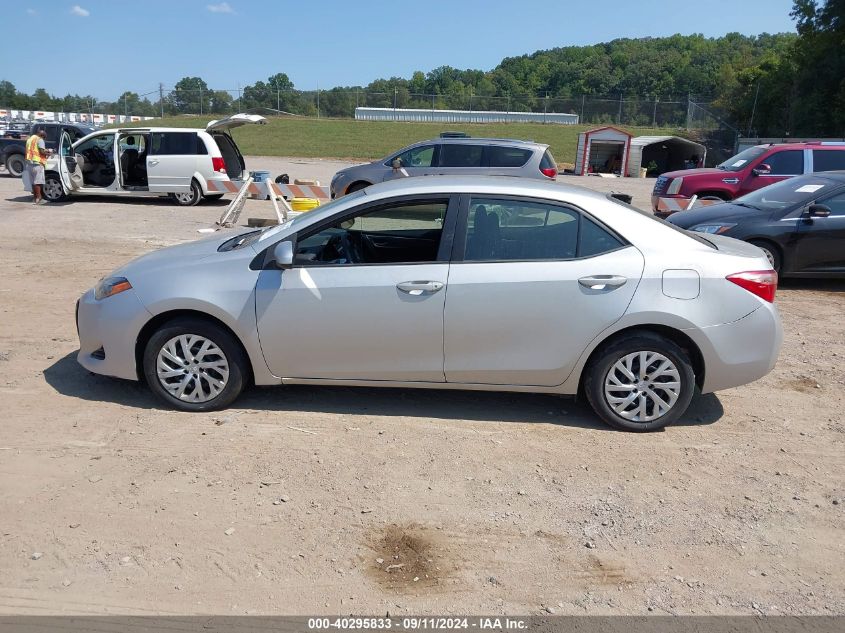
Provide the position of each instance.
(192, 368)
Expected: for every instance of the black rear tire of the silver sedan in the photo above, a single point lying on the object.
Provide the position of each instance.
(605, 379)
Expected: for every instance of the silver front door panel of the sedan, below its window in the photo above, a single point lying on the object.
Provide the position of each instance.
(352, 322)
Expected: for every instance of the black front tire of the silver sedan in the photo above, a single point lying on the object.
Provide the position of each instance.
(171, 349)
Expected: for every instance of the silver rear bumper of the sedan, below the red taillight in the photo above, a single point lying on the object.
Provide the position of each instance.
(740, 352)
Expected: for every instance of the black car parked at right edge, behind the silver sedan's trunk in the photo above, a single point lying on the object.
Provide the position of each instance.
(799, 223)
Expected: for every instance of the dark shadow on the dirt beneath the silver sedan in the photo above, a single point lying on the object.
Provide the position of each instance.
(68, 378)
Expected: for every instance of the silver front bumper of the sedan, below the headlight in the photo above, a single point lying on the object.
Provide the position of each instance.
(108, 330)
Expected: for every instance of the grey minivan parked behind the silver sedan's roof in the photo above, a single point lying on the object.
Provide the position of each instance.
(453, 155)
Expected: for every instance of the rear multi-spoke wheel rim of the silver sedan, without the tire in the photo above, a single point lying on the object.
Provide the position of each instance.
(642, 386)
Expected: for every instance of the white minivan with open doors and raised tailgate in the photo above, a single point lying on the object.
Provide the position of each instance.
(179, 162)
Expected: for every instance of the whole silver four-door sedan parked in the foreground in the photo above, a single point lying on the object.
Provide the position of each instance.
(505, 284)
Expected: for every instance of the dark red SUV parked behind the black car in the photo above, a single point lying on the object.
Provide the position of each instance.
(751, 169)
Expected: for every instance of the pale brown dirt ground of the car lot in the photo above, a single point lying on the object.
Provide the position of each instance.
(332, 500)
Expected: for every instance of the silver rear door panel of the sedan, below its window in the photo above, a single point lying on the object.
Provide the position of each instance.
(527, 323)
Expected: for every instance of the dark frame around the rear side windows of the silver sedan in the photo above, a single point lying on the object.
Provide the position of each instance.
(459, 243)
